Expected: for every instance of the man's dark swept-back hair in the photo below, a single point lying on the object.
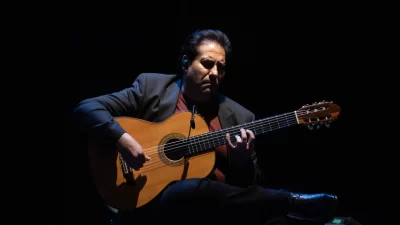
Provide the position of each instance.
(195, 39)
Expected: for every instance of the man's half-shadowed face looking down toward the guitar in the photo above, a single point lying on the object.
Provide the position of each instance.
(206, 71)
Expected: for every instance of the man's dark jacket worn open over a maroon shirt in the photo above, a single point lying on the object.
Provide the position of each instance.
(153, 97)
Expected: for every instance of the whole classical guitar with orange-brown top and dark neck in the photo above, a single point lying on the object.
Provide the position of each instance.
(175, 155)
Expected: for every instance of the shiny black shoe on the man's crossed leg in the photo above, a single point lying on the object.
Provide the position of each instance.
(314, 207)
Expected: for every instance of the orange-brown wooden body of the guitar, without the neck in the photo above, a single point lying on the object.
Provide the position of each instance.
(167, 164)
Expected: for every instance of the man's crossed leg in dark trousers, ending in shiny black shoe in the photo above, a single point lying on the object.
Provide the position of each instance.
(204, 201)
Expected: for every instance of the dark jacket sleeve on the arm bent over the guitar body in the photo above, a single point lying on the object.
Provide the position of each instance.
(95, 115)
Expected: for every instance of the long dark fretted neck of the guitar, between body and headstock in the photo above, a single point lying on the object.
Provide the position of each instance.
(207, 141)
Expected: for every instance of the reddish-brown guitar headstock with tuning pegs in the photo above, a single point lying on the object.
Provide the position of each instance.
(317, 114)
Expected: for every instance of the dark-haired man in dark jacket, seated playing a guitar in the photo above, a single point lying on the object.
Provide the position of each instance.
(232, 194)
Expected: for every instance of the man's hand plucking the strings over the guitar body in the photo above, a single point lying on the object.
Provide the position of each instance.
(131, 151)
